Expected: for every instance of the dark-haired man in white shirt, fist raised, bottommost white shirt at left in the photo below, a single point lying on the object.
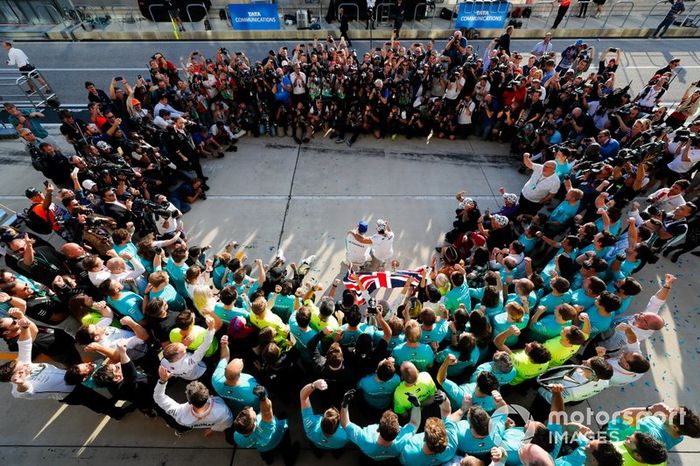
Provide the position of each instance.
(202, 411)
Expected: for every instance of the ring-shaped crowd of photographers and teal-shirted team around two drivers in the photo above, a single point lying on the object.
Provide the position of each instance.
(536, 300)
